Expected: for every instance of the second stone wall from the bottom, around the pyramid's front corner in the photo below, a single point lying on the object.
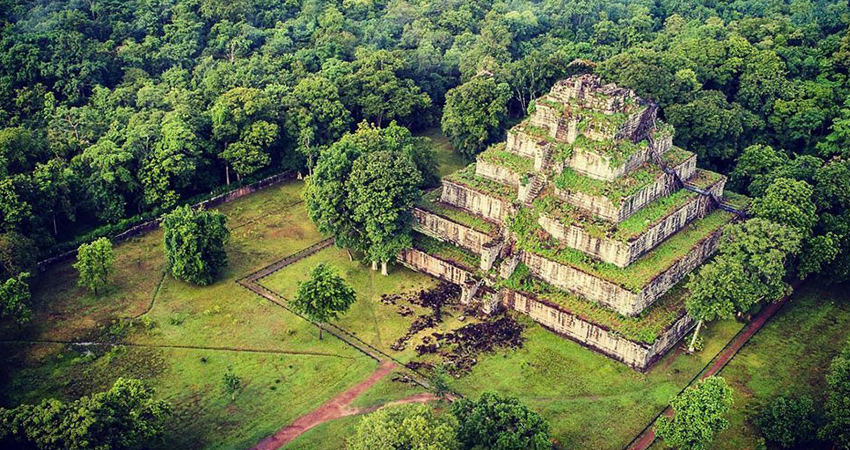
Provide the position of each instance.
(612, 295)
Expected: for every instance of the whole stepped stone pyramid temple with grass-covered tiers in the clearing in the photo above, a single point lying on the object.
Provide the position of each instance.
(587, 220)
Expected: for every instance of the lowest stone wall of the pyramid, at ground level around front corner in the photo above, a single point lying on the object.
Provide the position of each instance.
(637, 355)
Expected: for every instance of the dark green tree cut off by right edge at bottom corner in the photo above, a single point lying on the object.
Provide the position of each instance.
(836, 428)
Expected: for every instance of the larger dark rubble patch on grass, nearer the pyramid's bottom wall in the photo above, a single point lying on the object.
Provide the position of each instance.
(459, 349)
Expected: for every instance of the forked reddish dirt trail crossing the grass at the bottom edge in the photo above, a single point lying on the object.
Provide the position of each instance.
(339, 406)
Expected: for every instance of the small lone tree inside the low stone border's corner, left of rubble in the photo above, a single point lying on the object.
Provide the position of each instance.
(324, 297)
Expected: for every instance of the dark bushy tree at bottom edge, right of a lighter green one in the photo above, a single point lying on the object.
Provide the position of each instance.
(500, 423)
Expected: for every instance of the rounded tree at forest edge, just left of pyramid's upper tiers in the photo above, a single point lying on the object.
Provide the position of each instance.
(475, 113)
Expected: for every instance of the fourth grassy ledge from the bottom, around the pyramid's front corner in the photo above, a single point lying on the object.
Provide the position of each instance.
(616, 191)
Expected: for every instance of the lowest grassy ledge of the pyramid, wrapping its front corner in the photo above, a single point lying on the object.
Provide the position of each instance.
(645, 328)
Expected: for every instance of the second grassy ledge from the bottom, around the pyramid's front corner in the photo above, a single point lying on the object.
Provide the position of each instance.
(532, 238)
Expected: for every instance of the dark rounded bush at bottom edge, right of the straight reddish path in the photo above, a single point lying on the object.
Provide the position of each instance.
(788, 422)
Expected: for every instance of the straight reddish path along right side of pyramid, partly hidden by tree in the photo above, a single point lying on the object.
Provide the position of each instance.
(645, 440)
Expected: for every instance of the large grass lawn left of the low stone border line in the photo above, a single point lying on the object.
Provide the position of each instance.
(278, 387)
